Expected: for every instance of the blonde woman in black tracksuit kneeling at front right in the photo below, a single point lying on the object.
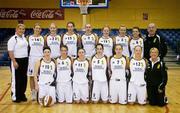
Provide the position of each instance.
(156, 78)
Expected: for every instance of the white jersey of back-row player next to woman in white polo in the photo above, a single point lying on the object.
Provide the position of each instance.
(36, 46)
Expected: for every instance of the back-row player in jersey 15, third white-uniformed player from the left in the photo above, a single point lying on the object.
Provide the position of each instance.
(71, 39)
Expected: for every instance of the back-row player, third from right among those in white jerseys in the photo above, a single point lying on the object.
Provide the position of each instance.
(107, 41)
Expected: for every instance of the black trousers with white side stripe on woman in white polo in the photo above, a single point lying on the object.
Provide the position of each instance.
(19, 79)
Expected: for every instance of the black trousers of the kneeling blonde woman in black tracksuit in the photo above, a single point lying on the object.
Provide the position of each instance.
(154, 97)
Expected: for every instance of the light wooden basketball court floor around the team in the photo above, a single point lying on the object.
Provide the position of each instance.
(173, 93)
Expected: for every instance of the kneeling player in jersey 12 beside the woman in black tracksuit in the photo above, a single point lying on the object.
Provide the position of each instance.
(137, 84)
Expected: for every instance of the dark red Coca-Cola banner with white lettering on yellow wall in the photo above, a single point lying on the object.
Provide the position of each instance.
(31, 14)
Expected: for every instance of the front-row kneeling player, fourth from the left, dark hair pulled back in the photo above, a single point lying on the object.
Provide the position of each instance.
(99, 75)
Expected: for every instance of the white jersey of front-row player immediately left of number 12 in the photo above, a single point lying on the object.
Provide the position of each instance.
(118, 68)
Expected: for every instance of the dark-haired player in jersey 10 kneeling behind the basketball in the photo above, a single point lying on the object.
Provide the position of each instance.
(45, 76)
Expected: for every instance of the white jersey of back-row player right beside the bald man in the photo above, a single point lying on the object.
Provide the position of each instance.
(135, 42)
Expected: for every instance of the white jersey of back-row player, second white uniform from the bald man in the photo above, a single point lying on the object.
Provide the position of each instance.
(124, 41)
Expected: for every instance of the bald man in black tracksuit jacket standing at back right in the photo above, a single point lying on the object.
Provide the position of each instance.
(154, 40)
